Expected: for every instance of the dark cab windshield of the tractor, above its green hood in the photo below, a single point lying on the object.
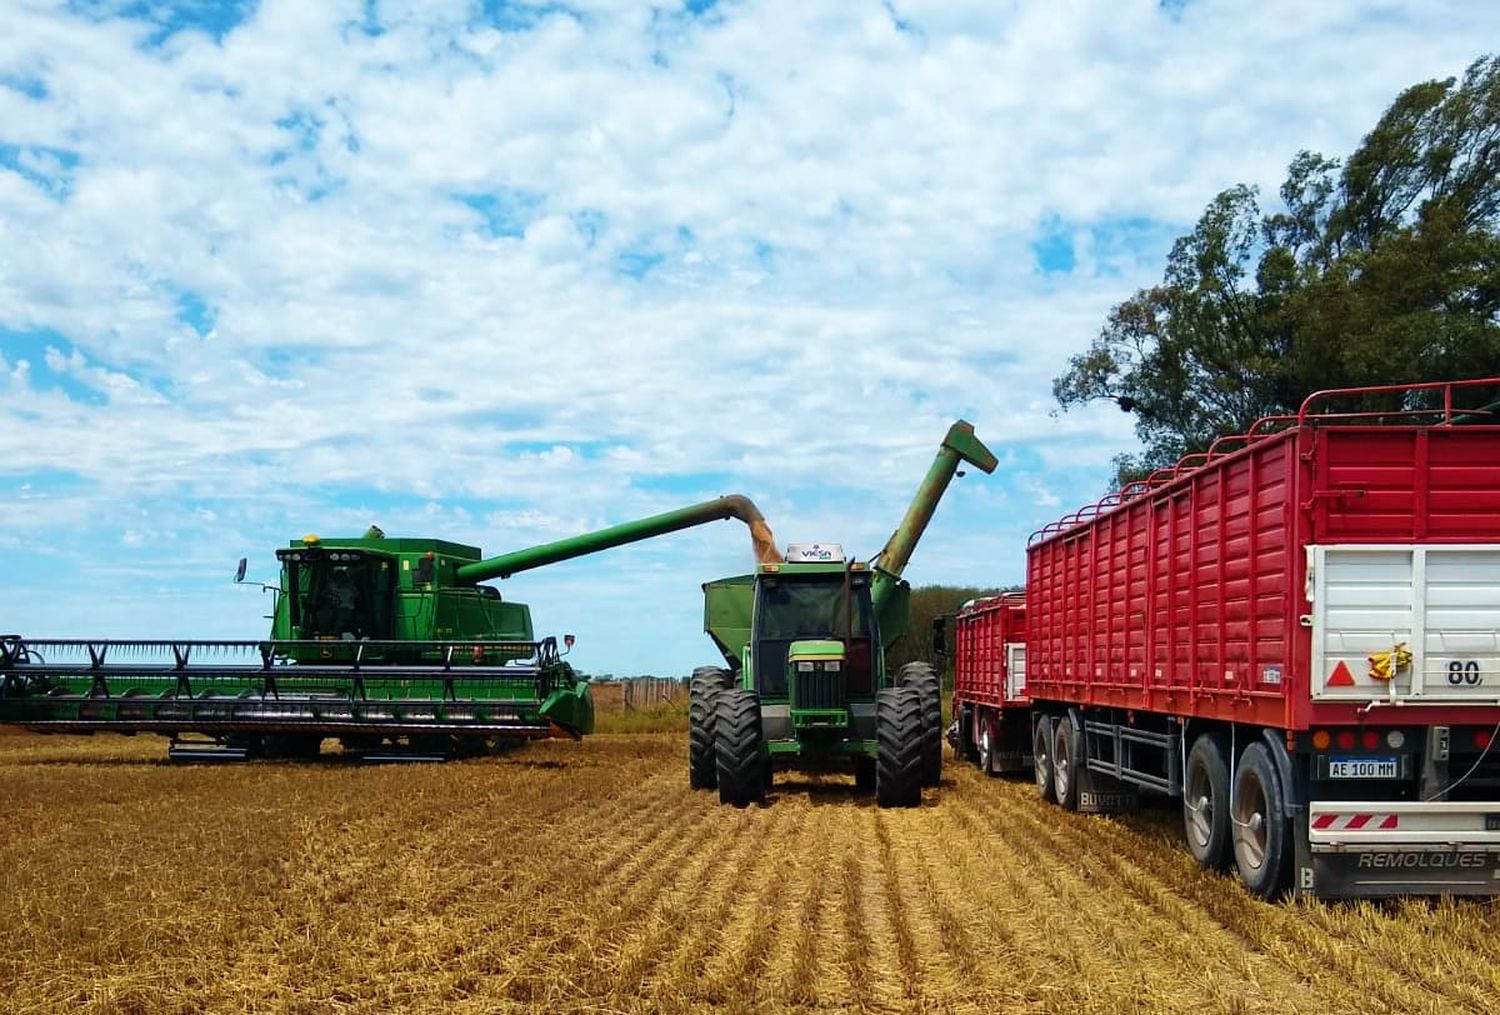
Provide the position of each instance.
(794, 609)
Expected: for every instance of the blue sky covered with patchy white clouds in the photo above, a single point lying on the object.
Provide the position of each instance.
(508, 272)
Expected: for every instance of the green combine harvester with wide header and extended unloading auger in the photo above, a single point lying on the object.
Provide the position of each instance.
(392, 645)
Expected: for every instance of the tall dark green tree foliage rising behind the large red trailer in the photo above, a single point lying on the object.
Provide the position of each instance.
(1379, 271)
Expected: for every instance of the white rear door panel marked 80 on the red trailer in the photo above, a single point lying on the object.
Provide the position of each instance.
(1439, 603)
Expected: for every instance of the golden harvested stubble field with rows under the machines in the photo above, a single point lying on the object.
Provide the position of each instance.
(589, 878)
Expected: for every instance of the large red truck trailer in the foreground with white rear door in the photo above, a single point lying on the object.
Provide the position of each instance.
(1297, 635)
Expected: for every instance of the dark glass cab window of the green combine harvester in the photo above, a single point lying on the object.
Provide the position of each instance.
(340, 594)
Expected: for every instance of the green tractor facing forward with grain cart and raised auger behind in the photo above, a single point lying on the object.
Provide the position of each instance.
(806, 686)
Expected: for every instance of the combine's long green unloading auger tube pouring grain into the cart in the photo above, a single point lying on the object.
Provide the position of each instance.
(733, 506)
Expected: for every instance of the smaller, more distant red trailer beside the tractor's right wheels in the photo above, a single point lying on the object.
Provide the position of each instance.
(989, 692)
